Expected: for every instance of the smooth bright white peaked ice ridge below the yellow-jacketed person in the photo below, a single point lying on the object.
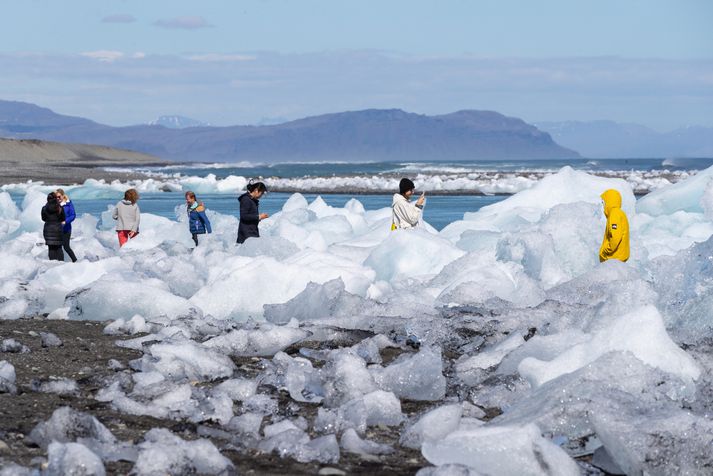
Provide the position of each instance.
(641, 332)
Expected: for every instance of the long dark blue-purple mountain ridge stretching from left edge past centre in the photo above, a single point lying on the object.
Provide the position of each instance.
(370, 135)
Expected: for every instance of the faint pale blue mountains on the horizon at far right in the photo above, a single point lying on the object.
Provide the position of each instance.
(608, 139)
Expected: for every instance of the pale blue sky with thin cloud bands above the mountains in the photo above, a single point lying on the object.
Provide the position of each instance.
(245, 61)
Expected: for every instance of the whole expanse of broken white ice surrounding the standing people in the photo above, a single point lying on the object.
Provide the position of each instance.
(526, 351)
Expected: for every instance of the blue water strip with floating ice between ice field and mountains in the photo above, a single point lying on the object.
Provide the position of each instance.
(453, 188)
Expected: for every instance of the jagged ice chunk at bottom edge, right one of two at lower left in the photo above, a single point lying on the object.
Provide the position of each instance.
(162, 452)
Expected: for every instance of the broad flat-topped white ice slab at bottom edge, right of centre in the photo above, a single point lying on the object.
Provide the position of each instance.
(501, 450)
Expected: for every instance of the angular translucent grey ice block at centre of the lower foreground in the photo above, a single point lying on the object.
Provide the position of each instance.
(414, 377)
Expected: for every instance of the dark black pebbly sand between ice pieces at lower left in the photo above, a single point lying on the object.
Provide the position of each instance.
(84, 357)
